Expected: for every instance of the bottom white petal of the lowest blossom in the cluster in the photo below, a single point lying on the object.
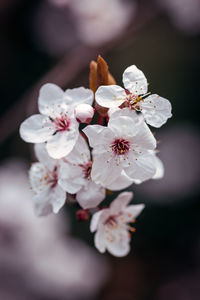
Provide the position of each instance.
(118, 245)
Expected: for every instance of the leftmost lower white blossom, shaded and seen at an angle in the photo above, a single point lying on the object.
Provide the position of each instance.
(48, 195)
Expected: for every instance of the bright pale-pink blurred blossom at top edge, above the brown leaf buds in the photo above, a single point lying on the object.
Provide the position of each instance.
(100, 21)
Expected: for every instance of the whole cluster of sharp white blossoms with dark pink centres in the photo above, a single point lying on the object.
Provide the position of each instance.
(123, 152)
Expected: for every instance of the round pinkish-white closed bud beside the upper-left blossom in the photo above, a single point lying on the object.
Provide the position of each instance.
(84, 113)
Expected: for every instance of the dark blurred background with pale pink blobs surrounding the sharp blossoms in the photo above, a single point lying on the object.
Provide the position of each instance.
(54, 258)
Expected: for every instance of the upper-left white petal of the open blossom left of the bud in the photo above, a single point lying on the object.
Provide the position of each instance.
(49, 94)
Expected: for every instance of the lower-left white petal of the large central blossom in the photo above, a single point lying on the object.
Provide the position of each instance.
(105, 169)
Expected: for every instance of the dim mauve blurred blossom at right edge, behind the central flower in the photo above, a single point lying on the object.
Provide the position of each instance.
(179, 151)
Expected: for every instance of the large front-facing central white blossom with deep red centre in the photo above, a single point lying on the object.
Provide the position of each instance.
(122, 146)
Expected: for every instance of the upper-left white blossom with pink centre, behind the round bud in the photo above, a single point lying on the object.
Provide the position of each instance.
(56, 124)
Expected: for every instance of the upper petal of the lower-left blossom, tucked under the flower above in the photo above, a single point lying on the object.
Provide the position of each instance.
(42, 155)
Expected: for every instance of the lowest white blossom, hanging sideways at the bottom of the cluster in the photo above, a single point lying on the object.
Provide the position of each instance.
(111, 225)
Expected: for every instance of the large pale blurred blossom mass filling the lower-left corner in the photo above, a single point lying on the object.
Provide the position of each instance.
(38, 260)
